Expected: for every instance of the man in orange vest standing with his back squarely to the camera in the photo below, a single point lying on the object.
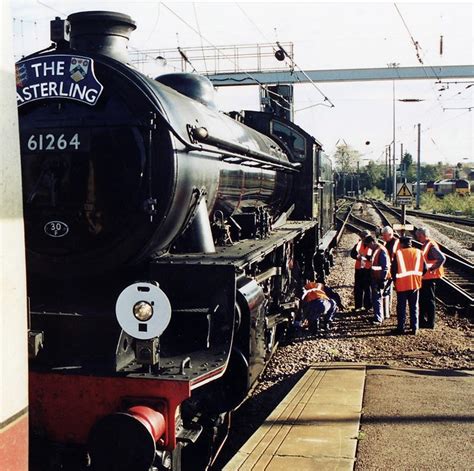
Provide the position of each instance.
(407, 270)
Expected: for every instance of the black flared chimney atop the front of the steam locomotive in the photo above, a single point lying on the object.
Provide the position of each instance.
(102, 32)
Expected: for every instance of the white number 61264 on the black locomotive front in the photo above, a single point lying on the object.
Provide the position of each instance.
(55, 141)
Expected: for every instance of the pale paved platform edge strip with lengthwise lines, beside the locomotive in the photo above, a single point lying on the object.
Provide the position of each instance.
(315, 427)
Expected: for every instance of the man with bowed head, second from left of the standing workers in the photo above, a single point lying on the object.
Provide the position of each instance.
(379, 277)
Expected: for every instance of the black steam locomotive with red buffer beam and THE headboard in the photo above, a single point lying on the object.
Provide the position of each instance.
(166, 246)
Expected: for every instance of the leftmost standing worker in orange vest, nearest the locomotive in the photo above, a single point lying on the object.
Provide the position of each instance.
(362, 255)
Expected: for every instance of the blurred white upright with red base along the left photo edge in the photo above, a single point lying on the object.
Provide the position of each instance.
(13, 309)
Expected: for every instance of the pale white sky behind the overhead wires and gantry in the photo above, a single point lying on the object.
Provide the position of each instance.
(324, 36)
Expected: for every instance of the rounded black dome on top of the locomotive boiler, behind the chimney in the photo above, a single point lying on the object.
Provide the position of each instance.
(194, 86)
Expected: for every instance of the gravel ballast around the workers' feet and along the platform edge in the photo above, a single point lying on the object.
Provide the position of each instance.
(354, 339)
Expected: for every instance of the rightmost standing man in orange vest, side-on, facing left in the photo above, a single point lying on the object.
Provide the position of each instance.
(435, 259)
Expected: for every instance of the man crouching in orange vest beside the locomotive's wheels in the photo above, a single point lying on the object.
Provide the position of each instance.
(319, 302)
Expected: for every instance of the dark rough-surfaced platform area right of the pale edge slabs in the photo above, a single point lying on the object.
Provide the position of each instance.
(416, 419)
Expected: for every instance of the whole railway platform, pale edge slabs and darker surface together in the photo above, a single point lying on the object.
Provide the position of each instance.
(345, 416)
